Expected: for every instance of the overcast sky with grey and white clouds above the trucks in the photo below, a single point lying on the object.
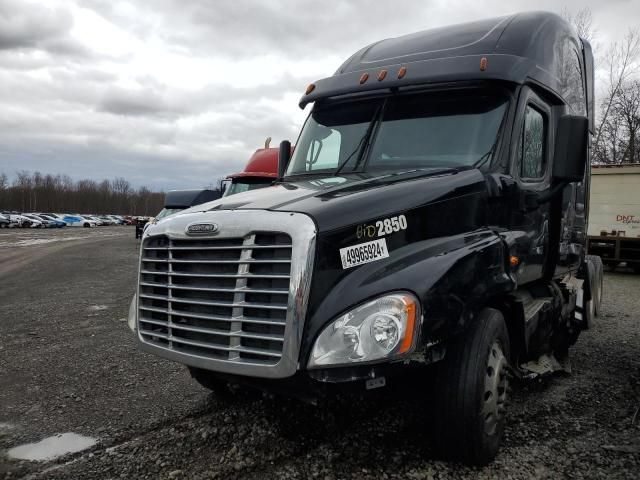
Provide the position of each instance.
(176, 93)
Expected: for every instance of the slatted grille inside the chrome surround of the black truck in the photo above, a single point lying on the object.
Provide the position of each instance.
(223, 299)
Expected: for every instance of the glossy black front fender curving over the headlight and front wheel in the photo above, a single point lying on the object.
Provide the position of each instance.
(452, 276)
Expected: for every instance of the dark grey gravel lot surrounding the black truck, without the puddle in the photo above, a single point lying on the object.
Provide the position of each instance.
(68, 363)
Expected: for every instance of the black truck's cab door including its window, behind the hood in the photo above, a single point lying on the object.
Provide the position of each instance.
(531, 170)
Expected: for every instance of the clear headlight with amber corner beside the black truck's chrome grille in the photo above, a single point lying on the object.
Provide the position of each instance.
(383, 328)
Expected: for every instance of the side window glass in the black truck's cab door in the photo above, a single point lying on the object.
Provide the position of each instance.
(532, 145)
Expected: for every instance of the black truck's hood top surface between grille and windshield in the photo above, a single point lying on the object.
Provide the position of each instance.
(334, 202)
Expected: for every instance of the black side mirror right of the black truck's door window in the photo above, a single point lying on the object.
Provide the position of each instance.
(570, 155)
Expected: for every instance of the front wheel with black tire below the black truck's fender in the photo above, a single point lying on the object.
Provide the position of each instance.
(471, 395)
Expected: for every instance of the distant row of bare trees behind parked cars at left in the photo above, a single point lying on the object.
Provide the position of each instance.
(37, 192)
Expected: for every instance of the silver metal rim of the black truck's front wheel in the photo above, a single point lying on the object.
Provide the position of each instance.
(495, 389)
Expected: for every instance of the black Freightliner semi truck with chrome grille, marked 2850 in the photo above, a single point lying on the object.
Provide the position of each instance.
(431, 220)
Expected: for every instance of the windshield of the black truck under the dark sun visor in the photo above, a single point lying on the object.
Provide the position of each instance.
(402, 132)
